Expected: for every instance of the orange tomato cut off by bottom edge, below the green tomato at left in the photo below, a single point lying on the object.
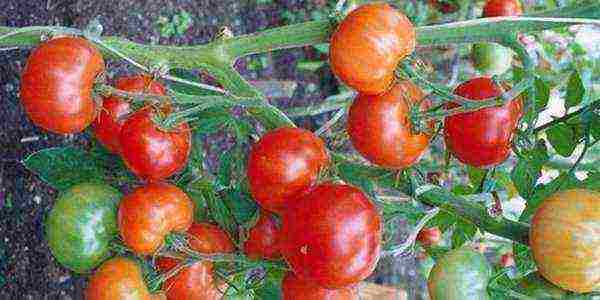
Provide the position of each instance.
(119, 278)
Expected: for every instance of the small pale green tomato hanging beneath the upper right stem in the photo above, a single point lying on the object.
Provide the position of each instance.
(491, 59)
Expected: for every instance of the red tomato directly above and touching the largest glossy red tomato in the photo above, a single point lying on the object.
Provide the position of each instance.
(284, 163)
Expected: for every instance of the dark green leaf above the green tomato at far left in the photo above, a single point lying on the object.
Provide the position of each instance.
(64, 167)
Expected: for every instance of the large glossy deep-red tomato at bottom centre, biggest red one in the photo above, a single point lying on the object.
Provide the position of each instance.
(332, 236)
